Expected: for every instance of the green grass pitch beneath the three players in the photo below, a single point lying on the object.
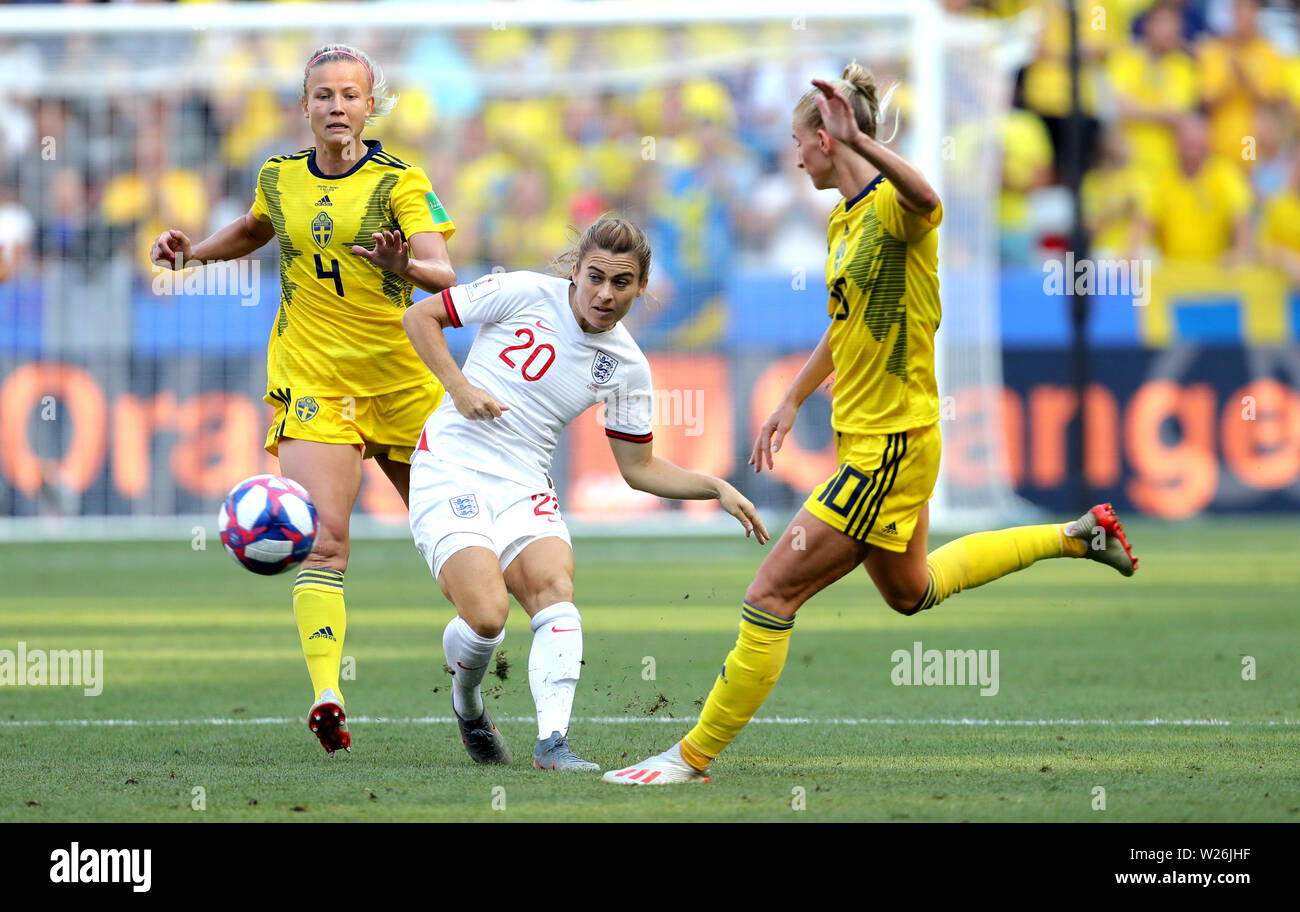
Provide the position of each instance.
(1086, 657)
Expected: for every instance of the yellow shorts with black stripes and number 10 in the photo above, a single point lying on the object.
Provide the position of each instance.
(881, 487)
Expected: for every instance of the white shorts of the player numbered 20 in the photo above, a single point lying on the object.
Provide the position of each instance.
(454, 507)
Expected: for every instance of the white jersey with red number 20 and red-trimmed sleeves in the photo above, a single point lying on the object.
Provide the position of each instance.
(532, 357)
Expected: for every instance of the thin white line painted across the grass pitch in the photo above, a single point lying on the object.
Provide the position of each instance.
(638, 720)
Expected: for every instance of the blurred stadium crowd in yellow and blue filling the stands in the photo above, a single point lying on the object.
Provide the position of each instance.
(1191, 134)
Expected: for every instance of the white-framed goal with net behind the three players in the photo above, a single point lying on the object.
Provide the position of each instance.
(131, 401)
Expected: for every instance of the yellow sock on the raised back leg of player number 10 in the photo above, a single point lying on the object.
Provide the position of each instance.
(974, 561)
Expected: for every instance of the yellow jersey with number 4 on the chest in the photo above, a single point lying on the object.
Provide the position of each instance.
(339, 332)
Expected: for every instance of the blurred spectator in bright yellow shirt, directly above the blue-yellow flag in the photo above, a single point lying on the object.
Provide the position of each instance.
(1202, 210)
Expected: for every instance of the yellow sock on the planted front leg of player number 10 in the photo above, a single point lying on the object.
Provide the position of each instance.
(748, 678)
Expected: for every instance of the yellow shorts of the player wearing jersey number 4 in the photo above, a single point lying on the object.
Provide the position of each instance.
(387, 425)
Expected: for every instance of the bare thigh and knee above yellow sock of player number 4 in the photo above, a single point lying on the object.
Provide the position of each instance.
(332, 475)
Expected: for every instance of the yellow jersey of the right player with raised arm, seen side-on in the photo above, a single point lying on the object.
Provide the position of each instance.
(883, 277)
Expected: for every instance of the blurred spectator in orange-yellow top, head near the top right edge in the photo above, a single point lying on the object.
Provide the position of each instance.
(1241, 75)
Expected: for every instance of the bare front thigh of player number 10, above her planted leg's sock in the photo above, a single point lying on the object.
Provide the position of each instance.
(809, 557)
